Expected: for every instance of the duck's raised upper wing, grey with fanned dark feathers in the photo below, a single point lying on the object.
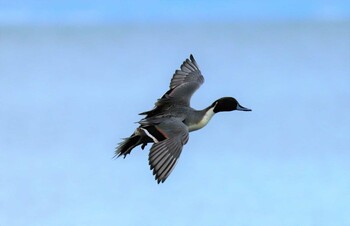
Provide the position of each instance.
(185, 82)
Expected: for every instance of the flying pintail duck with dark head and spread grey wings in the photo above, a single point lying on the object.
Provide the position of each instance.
(168, 124)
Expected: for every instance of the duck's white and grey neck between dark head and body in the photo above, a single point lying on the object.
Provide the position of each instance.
(200, 119)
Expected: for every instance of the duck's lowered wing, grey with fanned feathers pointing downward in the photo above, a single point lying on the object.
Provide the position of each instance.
(163, 155)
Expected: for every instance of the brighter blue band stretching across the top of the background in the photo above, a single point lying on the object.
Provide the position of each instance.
(167, 11)
